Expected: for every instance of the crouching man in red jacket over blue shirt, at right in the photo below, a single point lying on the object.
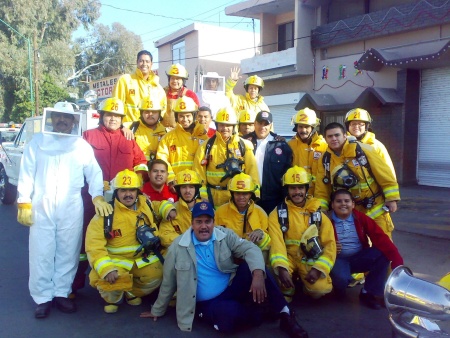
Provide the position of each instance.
(354, 253)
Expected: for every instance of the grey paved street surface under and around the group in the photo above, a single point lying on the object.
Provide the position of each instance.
(422, 235)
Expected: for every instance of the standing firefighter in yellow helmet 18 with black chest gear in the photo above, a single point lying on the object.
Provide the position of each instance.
(222, 157)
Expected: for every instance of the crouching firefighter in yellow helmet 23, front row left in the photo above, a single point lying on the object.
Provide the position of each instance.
(115, 256)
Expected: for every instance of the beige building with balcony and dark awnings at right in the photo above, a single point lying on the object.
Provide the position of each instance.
(388, 56)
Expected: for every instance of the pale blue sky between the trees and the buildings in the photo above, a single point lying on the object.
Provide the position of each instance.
(154, 19)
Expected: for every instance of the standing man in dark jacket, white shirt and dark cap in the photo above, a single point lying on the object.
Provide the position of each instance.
(273, 157)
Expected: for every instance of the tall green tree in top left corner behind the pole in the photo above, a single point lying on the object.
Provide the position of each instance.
(52, 22)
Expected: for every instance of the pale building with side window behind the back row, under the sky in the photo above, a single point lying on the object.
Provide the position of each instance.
(203, 48)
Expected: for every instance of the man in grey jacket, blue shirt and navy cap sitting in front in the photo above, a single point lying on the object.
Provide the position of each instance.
(204, 256)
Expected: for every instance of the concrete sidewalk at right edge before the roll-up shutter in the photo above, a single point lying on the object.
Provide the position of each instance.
(424, 210)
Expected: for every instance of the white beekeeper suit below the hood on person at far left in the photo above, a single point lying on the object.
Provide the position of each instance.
(51, 176)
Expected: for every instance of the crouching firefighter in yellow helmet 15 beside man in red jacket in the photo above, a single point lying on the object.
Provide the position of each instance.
(302, 238)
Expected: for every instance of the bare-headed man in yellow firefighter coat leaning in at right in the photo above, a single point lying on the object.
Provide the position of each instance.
(367, 176)
